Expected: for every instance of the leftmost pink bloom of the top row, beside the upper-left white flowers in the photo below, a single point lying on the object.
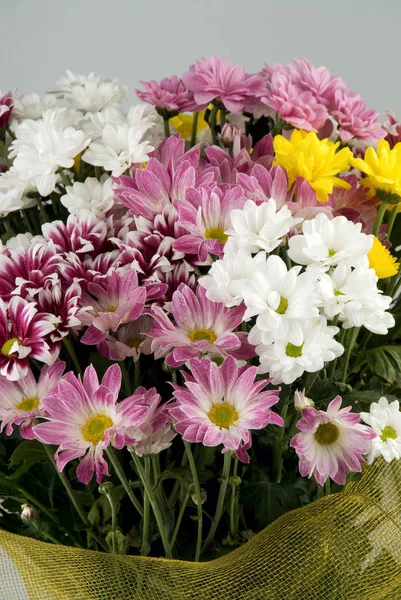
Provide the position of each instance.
(169, 94)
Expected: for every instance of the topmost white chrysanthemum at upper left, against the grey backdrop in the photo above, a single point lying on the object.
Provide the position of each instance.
(90, 93)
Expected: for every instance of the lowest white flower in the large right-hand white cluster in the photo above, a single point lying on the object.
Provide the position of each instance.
(306, 347)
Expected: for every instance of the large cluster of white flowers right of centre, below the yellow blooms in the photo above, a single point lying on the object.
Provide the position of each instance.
(326, 276)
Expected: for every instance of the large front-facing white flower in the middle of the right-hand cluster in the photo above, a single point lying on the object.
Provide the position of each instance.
(279, 297)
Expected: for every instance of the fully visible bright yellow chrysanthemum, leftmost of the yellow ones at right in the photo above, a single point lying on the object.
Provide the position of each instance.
(317, 161)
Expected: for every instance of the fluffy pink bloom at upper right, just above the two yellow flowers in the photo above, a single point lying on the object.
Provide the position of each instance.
(354, 119)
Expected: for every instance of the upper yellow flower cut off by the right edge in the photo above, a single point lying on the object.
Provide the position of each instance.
(383, 171)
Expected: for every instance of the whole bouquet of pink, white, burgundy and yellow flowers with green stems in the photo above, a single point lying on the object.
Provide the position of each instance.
(199, 305)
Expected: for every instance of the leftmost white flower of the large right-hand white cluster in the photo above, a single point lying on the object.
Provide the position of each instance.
(230, 277)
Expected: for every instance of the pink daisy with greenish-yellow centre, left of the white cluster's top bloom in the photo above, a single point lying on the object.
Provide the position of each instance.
(205, 214)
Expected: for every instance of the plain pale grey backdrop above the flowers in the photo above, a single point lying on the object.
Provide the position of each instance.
(150, 39)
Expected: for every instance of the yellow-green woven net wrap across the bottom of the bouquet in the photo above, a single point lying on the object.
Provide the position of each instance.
(345, 546)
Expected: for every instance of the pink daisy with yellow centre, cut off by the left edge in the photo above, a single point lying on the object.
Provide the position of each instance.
(21, 401)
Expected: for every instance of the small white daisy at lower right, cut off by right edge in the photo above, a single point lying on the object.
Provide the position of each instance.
(384, 418)
